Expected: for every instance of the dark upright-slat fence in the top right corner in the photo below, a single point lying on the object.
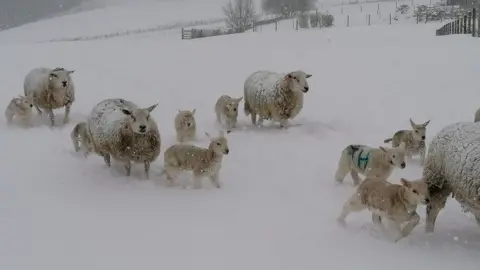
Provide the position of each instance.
(468, 24)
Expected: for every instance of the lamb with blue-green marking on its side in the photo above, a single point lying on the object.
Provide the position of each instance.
(370, 162)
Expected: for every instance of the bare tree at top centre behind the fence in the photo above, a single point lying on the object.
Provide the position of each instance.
(240, 14)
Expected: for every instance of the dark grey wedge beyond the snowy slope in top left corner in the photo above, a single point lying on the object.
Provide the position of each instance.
(16, 12)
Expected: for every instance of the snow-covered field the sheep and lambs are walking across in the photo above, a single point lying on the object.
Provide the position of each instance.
(278, 204)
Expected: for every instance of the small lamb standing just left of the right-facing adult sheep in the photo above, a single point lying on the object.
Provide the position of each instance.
(226, 109)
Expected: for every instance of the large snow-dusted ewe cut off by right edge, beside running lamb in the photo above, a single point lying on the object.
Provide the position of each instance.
(452, 167)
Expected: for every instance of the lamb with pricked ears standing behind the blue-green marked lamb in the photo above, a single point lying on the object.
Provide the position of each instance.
(414, 140)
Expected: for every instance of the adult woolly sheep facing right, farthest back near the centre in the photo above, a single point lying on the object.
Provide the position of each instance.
(273, 96)
